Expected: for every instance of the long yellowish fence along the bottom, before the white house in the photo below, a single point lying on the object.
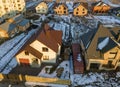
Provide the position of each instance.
(13, 78)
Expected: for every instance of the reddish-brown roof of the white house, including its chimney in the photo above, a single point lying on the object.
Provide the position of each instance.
(47, 36)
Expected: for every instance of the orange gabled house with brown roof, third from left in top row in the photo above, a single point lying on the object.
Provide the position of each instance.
(80, 9)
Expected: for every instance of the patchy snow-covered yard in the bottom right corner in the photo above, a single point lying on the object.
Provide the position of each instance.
(97, 80)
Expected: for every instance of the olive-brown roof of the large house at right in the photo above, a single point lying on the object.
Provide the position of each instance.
(101, 32)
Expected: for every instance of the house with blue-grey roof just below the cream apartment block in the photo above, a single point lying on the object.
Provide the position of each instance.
(20, 22)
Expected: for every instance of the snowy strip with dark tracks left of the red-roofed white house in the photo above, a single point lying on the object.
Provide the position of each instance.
(9, 49)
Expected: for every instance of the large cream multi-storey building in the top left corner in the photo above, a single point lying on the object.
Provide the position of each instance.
(9, 8)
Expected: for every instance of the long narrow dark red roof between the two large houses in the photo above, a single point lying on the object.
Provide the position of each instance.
(77, 63)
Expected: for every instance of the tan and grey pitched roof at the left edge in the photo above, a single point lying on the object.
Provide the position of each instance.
(8, 26)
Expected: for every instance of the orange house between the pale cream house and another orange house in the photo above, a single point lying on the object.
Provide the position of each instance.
(61, 9)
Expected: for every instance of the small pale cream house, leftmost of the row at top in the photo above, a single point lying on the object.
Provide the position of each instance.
(42, 8)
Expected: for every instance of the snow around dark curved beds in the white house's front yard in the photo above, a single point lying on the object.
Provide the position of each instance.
(65, 74)
